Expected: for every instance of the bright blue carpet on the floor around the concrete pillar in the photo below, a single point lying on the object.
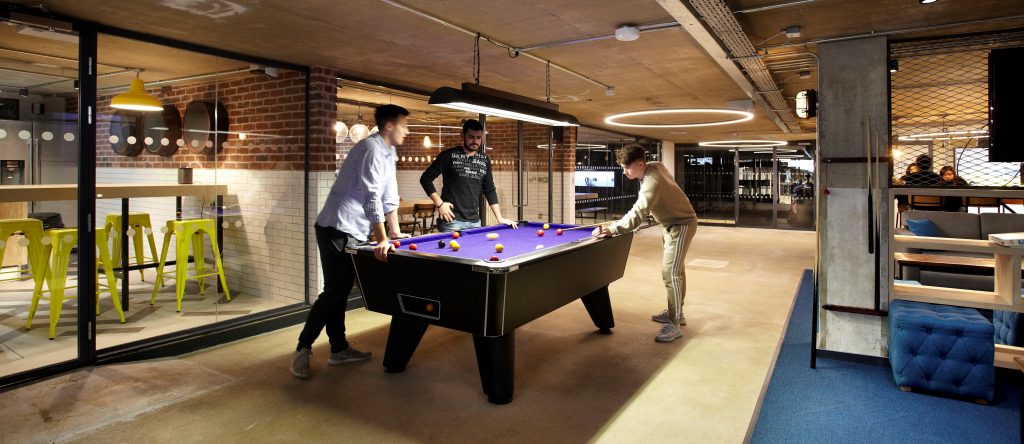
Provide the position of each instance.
(846, 403)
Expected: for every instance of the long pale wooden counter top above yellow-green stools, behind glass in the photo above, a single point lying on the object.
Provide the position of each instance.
(69, 192)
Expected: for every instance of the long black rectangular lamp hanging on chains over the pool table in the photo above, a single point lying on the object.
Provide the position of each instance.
(476, 99)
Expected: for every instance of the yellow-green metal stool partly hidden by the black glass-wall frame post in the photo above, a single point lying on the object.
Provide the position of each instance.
(58, 246)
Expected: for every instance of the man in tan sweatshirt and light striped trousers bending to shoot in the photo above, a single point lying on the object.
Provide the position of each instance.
(661, 198)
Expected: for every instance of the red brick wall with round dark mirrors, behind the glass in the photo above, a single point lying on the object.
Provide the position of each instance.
(255, 104)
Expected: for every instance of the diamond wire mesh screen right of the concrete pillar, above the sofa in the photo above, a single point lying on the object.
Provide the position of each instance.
(940, 111)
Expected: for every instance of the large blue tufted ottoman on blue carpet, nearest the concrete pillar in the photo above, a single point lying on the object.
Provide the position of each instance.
(943, 349)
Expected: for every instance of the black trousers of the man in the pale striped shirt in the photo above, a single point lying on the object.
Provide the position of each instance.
(329, 310)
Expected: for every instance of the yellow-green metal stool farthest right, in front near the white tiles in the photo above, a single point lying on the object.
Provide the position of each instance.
(186, 233)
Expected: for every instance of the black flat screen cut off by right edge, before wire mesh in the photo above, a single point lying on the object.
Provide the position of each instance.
(1006, 106)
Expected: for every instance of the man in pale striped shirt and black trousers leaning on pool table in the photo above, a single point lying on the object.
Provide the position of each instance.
(364, 197)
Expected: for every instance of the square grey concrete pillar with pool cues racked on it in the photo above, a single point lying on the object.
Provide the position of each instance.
(854, 98)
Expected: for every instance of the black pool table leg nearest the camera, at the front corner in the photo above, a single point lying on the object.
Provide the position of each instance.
(496, 359)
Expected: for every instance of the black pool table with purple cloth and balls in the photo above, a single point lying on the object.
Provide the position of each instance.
(468, 291)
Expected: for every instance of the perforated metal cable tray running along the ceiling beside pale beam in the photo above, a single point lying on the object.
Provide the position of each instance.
(726, 27)
